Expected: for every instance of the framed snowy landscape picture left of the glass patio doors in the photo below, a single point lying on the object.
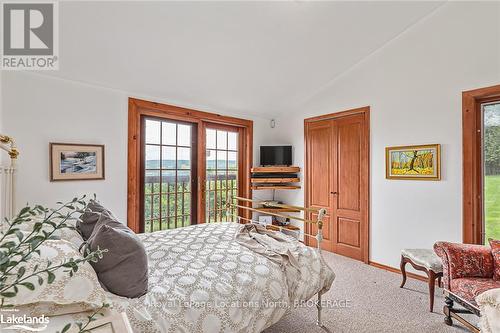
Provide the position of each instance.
(70, 161)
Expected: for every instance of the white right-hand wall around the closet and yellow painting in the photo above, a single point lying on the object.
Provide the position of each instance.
(413, 86)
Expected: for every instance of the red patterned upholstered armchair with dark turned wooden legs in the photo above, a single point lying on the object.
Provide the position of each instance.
(467, 272)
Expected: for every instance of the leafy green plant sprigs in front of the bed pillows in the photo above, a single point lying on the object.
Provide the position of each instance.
(20, 239)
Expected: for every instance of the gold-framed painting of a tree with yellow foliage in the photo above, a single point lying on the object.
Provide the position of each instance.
(413, 162)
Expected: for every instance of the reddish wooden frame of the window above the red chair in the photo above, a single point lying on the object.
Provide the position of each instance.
(472, 203)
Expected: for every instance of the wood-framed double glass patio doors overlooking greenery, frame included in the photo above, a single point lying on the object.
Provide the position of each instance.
(184, 165)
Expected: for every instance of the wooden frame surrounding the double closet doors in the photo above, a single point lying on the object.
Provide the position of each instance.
(365, 169)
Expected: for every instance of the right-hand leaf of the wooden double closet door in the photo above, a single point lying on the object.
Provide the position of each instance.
(349, 192)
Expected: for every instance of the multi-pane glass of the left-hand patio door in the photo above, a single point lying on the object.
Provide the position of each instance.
(168, 198)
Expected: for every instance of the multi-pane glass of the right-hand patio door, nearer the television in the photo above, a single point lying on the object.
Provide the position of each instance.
(221, 172)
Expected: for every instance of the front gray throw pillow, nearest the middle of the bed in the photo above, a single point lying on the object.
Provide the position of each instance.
(123, 270)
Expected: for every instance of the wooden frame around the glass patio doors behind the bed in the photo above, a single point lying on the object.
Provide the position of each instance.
(138, 108)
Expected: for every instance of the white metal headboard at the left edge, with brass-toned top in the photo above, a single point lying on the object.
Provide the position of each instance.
(7, 179)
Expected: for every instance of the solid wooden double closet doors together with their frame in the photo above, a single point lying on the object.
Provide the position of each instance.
(337, 168)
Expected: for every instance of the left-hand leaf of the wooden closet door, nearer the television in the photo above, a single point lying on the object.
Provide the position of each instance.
(319, 178)
